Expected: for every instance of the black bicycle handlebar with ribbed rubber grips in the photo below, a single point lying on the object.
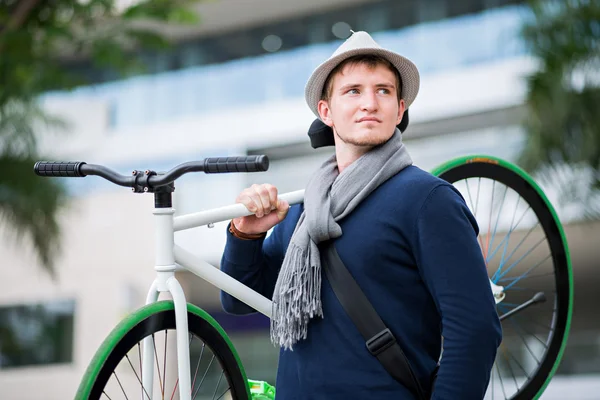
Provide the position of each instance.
(209, 165)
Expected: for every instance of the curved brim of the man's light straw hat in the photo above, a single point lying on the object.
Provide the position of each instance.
(406, 68)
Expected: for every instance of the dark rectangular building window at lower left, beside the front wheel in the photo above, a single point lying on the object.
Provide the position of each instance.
(36, 334)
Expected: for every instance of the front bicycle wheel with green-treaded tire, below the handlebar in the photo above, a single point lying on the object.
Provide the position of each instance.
(115, 371)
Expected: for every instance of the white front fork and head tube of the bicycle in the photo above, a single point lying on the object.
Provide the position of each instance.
(166, 282)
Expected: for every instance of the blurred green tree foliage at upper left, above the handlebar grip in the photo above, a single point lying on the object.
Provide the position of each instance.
(37, 38)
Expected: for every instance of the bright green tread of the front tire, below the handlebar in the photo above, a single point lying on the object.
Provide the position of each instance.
(131, 321)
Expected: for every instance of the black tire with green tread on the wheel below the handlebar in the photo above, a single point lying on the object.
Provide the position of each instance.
(153, 318)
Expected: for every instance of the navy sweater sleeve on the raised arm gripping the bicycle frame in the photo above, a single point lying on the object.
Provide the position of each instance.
(255, 263)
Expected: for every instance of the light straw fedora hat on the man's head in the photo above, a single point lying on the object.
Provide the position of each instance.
(360, 43)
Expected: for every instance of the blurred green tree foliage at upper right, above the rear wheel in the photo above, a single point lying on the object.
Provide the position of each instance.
(563, 122)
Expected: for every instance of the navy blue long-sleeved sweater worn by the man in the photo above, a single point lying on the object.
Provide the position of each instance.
(412, 247)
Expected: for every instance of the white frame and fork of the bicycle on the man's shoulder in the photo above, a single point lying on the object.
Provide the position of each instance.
(171, 258)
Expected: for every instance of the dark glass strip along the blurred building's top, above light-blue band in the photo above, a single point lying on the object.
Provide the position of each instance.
(383, 15)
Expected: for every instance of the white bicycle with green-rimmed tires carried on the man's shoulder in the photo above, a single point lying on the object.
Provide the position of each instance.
(133, 342)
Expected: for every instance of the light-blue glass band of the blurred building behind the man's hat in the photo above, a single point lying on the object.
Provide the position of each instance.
(467, 40)
